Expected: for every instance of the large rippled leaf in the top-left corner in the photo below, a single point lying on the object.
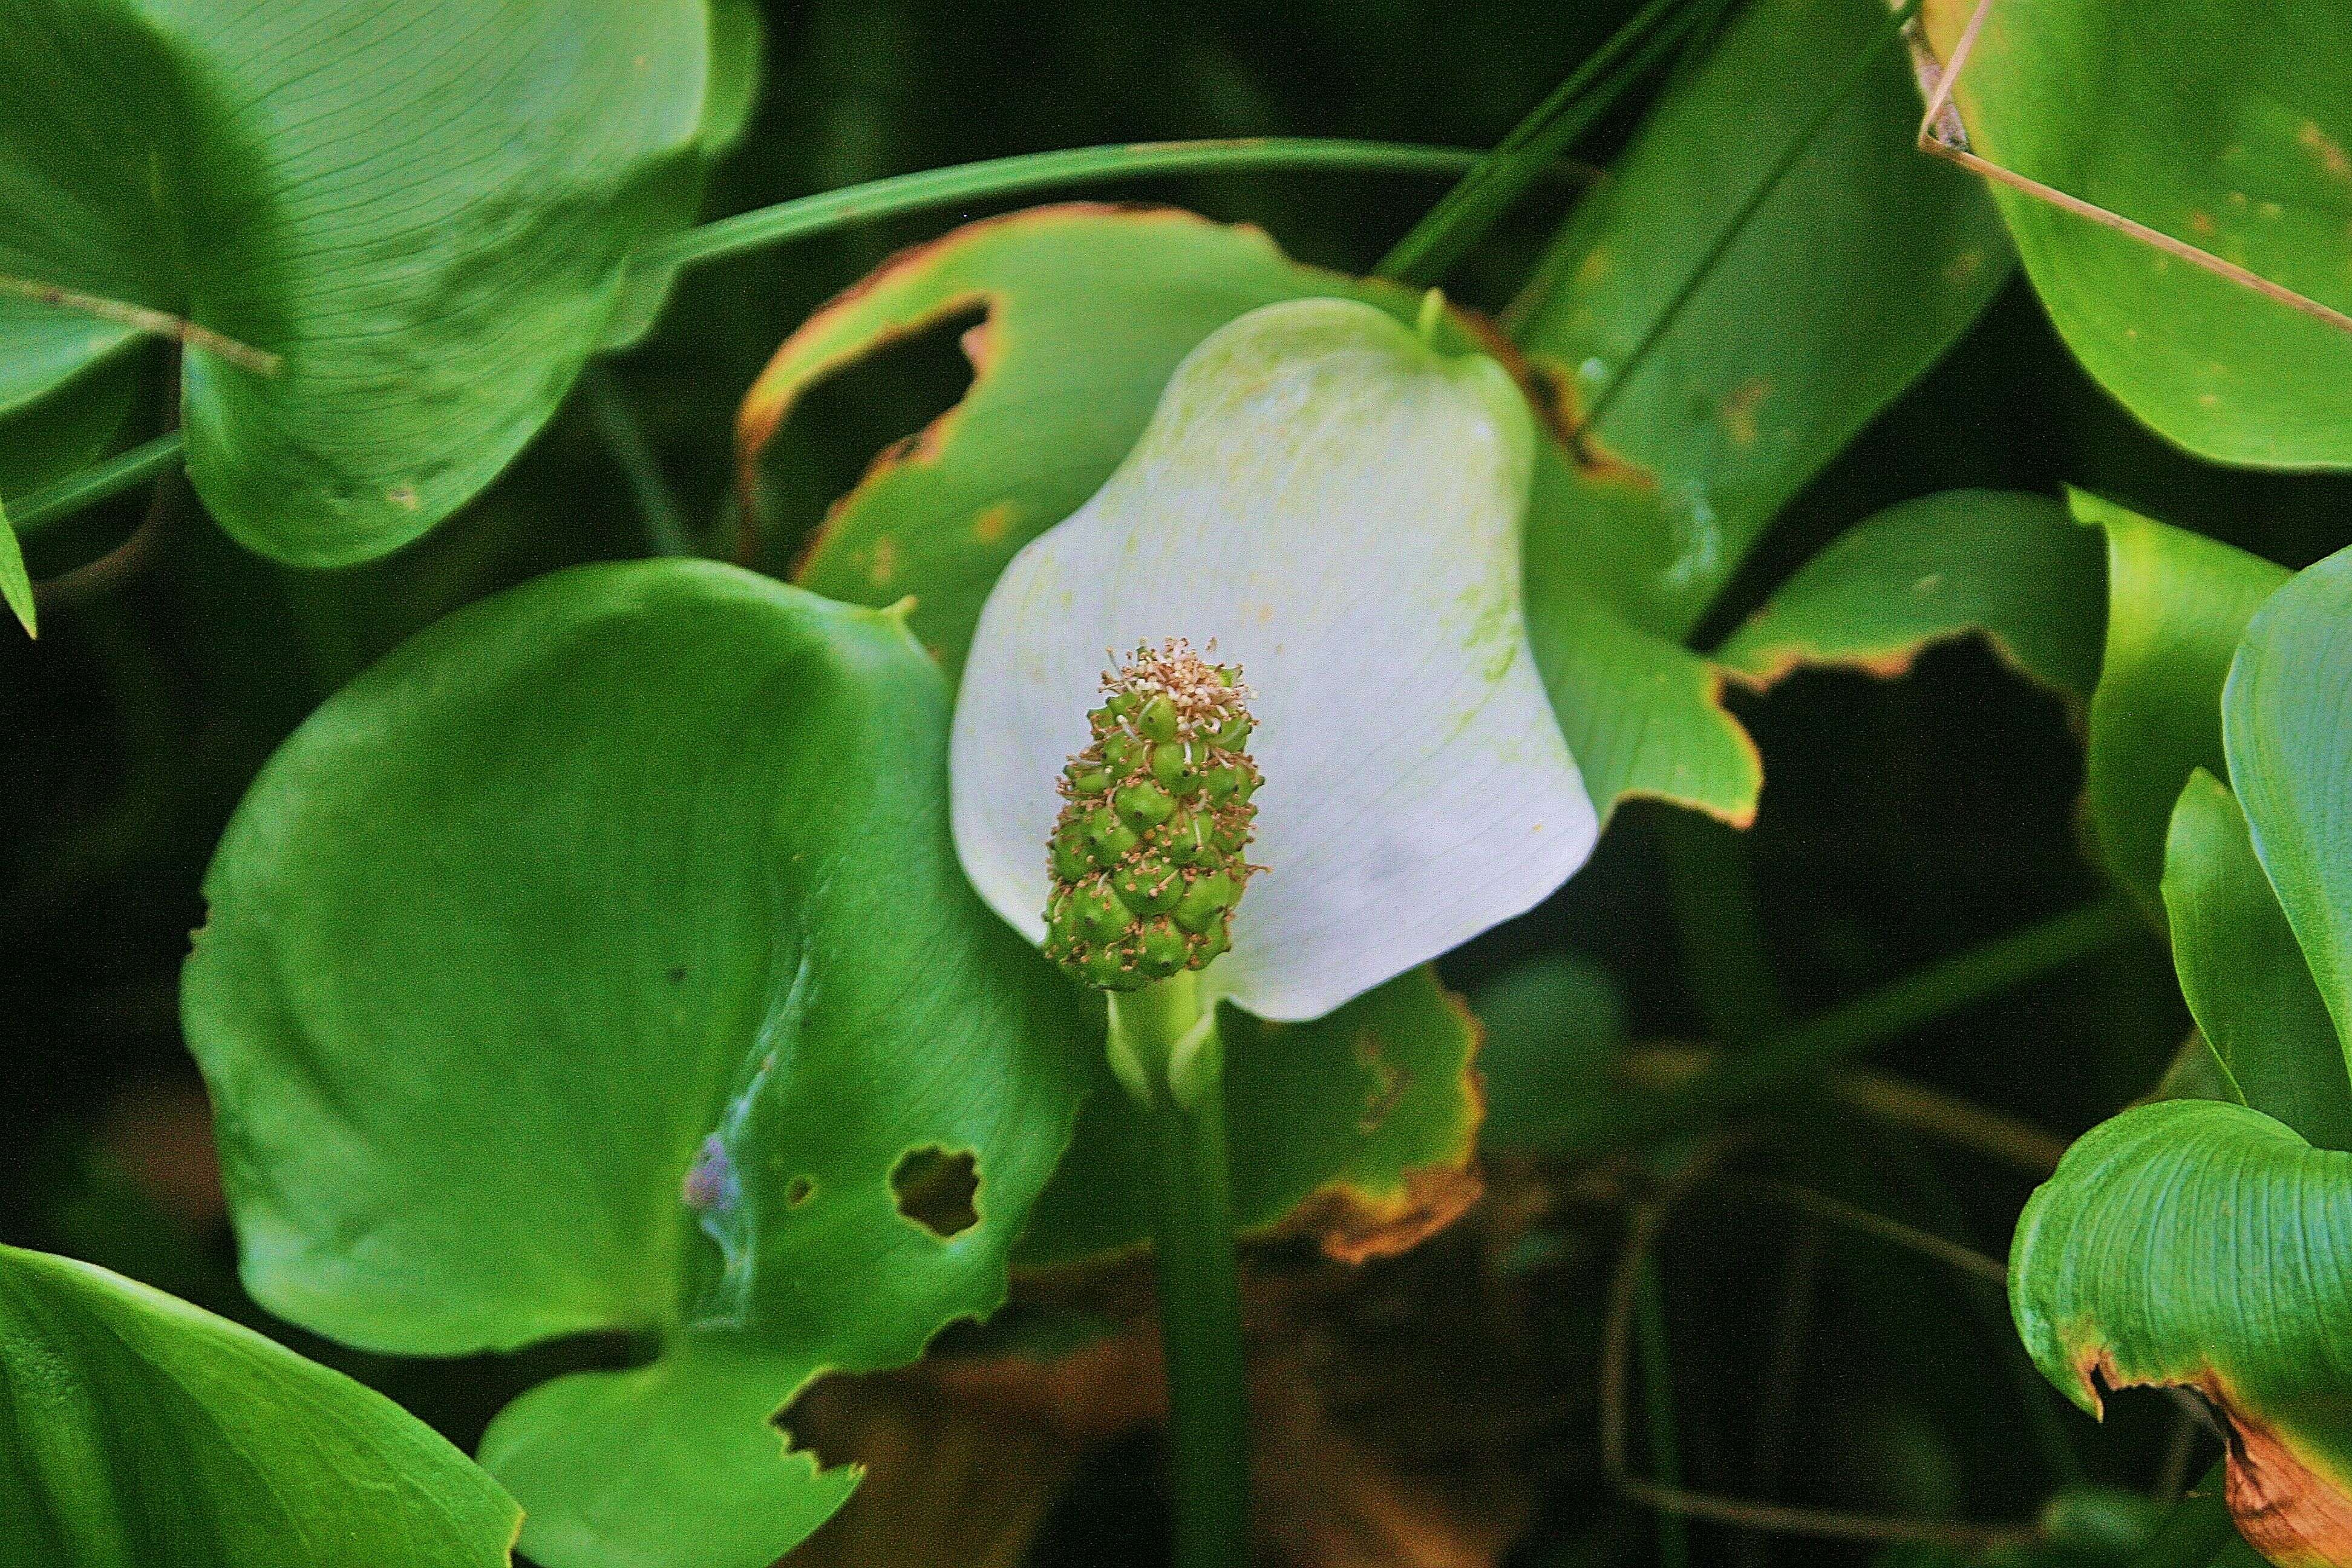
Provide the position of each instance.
(420, 213)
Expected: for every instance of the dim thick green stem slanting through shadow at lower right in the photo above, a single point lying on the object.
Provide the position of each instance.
(1822, 1043)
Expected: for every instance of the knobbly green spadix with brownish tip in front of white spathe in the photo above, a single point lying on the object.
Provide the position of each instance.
(1156, 812)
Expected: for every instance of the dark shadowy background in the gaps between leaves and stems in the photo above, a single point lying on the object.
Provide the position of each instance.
(1902, 824)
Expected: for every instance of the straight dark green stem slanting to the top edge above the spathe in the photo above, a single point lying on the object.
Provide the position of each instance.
(1488, 192)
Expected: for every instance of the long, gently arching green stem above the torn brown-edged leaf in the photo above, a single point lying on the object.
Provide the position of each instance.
(1001, 177)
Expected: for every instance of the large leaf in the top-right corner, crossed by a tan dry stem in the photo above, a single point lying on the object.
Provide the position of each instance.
(2229, 133)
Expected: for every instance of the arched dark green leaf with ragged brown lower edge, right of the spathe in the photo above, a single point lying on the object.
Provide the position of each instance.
(1996, 565)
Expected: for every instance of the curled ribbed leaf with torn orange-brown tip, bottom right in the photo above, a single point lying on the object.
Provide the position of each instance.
(2200, 1245)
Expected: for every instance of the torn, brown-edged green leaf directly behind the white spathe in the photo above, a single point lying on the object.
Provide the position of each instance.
(1088, 314)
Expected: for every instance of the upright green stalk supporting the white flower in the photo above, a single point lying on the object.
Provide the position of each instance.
(1165, 1045)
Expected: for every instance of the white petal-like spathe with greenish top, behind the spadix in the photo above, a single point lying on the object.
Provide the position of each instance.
(1332, 507)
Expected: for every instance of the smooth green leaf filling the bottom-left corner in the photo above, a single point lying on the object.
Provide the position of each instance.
(138, 1430)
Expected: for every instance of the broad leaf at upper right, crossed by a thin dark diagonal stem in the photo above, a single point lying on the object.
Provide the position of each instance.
(1850, 281)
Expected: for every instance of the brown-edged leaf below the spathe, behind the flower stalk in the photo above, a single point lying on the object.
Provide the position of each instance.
(1358, 1127)
